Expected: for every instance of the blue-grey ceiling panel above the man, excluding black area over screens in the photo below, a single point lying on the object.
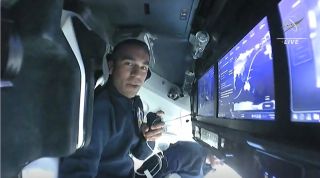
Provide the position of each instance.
(169, 21)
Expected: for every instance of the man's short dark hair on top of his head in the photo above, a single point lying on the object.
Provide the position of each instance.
(128, 42)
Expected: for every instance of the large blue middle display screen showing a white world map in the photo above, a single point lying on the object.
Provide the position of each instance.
(246, 83)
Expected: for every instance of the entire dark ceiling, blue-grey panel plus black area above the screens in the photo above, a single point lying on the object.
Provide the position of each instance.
(172, 22)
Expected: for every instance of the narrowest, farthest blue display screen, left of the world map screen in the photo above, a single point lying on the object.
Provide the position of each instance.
(206, 93)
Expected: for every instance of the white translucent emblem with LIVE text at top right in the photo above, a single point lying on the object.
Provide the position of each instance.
(291, 26)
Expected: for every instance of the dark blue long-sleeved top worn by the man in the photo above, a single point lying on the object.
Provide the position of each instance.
(115, 134)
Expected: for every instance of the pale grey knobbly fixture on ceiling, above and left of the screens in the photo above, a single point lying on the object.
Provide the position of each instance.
(199, 43)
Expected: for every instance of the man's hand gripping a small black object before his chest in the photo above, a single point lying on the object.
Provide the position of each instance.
(153, 133)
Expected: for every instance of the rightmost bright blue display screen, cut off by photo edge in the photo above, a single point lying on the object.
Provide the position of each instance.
(301, 26)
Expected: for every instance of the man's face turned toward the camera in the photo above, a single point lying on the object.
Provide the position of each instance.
(129, 70)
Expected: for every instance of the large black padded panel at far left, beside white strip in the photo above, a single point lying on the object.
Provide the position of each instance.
(40, 113)
